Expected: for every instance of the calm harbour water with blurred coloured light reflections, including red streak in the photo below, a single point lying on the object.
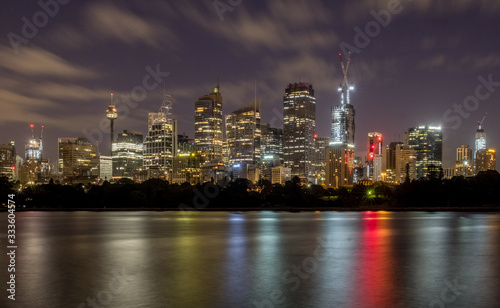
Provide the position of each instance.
(255, 259)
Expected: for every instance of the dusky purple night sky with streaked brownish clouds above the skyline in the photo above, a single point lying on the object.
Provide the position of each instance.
(419, 62)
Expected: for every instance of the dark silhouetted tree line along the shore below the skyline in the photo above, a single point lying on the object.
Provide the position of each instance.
(483, 189)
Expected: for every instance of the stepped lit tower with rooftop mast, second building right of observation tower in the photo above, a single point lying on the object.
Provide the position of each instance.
(160, 144)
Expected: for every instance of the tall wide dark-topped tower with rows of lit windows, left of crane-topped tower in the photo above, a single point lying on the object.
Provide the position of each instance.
(299, 125)
